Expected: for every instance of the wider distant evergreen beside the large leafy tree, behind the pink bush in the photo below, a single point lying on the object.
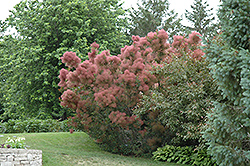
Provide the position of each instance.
(152, 15)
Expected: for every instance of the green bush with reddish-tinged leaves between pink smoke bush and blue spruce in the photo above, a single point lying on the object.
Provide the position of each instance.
(183, 95)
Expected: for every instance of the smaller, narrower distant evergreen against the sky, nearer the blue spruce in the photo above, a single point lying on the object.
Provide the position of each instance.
(201, 19)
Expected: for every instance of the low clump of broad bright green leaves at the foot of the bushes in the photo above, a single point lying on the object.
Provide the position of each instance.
(183, 155)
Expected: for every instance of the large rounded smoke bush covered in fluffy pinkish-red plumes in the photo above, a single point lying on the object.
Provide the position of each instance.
(105, 90)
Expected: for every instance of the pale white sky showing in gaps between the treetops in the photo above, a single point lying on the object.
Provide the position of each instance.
(178, 5)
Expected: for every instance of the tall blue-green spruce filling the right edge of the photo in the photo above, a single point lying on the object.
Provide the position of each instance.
(228, 132)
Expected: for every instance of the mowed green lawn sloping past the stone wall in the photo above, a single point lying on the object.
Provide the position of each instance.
(65, 149)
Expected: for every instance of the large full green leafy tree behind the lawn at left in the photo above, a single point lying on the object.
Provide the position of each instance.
(45, 30)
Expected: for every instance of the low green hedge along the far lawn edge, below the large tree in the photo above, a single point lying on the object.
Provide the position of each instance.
(34, 125)
